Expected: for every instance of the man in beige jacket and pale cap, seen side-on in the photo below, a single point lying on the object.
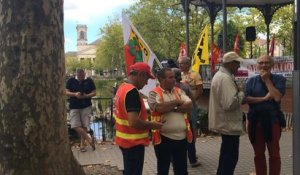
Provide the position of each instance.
(225, 114)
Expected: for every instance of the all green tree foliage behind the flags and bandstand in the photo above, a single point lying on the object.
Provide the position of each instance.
(162, 25)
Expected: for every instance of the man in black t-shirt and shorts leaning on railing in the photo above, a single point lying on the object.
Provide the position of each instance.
(81, 90)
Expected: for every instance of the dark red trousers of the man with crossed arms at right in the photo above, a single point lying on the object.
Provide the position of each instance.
(259, 147)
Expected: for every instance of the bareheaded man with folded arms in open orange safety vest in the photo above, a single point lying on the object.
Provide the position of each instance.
(170, 105)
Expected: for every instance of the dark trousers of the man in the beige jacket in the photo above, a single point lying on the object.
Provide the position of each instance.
(229, 154)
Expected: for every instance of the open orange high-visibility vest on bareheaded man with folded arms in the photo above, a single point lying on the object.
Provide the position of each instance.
(157, 116)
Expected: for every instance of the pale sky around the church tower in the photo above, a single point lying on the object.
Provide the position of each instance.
(93, 13)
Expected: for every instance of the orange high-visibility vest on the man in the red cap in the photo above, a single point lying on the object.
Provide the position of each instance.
(126, 136)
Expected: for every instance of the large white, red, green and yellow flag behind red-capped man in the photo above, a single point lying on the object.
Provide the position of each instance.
(137, 50)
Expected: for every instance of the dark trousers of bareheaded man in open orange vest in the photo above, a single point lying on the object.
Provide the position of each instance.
(174, 151)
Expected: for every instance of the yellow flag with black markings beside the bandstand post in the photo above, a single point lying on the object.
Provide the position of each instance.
(200, 56)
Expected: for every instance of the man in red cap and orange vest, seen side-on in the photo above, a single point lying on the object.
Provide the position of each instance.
(132, 127)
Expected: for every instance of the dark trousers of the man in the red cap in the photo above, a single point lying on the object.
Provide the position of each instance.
(133, 159)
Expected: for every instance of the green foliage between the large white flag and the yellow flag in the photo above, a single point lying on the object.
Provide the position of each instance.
(162, 24)
